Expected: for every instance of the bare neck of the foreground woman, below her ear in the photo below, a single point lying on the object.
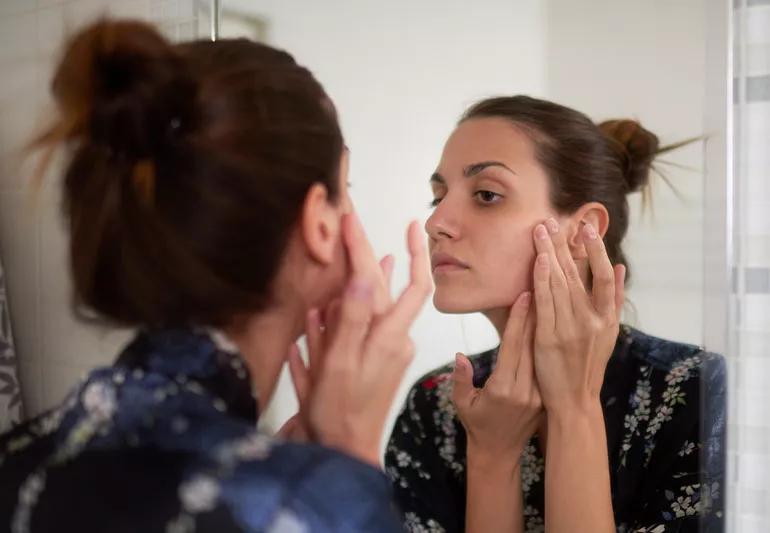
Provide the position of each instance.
(263, 340)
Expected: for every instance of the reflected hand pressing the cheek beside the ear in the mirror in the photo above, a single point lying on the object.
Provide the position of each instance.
(576, 330)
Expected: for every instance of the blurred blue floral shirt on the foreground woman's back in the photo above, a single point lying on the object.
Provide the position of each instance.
(165, 440)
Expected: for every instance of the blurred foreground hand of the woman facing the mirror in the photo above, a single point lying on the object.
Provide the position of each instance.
(358, 362)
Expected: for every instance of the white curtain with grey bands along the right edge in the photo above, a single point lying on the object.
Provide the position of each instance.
(749, 328)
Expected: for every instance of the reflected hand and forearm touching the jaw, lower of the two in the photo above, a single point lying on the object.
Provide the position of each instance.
(499, 419)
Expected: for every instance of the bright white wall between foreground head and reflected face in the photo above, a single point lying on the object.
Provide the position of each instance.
(401, 73)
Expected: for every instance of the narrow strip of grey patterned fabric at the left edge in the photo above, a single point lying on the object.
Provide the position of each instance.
(10, 392)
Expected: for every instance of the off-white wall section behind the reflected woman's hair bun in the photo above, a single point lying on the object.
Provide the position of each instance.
(646, 60)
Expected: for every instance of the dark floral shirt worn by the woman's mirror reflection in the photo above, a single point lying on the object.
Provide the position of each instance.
(666, 475)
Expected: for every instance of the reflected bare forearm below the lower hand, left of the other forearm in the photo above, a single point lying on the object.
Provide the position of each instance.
(494, 499)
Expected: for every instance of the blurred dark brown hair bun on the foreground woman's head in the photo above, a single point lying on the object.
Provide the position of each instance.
(121, 84)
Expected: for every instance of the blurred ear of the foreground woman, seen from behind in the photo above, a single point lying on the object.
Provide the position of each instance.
(320, 224)
